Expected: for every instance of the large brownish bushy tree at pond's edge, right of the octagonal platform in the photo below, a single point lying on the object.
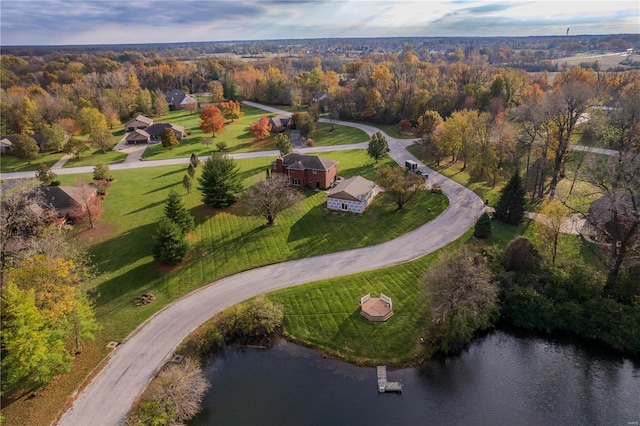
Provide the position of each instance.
(462, 298)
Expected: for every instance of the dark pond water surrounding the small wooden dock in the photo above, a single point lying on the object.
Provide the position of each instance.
(502, 379)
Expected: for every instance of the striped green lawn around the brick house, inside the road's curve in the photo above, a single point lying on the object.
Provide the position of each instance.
(224, 242)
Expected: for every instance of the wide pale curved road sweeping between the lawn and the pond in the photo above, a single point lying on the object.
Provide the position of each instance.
(107, 399)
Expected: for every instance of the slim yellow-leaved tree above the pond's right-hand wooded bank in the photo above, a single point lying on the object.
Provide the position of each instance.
(548, 228)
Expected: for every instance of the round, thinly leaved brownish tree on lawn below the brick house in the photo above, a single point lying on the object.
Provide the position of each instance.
(269, 197)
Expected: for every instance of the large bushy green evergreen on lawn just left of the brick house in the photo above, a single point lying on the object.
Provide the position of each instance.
(220, 183)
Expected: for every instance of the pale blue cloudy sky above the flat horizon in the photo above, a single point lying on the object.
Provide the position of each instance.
(61, 22)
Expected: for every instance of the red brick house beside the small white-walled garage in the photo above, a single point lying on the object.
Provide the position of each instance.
(307, 170)
